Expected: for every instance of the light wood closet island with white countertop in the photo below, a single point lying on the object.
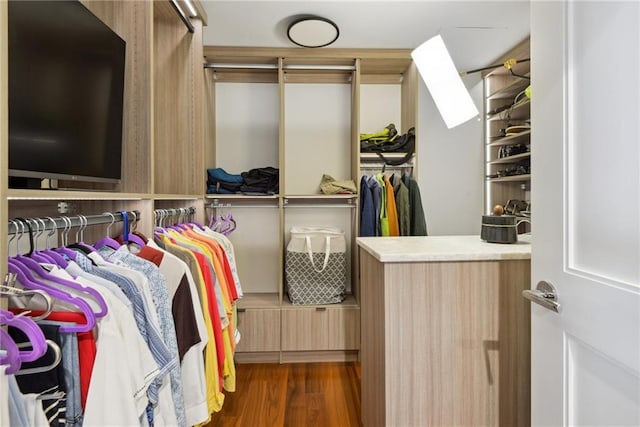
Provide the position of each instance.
(445, 331)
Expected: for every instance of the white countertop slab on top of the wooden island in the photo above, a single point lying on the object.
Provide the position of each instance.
(443, 248)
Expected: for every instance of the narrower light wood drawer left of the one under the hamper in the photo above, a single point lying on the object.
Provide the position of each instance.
(259, 330)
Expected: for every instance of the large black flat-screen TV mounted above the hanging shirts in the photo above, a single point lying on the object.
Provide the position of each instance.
(66, 83)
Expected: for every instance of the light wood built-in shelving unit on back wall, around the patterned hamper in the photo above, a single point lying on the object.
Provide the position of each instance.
(272, 88)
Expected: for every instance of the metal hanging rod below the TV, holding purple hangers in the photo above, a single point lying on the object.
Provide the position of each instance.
(70, 222)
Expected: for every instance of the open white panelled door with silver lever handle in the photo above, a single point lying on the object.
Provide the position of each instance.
(585, 211)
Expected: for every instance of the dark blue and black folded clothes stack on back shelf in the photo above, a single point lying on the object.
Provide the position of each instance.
(255, 181)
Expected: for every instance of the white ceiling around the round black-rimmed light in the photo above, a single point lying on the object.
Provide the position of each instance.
(475, 32)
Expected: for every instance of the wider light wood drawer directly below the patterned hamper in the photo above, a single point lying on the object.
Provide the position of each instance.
(320, 328)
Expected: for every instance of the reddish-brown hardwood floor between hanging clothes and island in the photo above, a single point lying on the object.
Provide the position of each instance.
(296, 395)
